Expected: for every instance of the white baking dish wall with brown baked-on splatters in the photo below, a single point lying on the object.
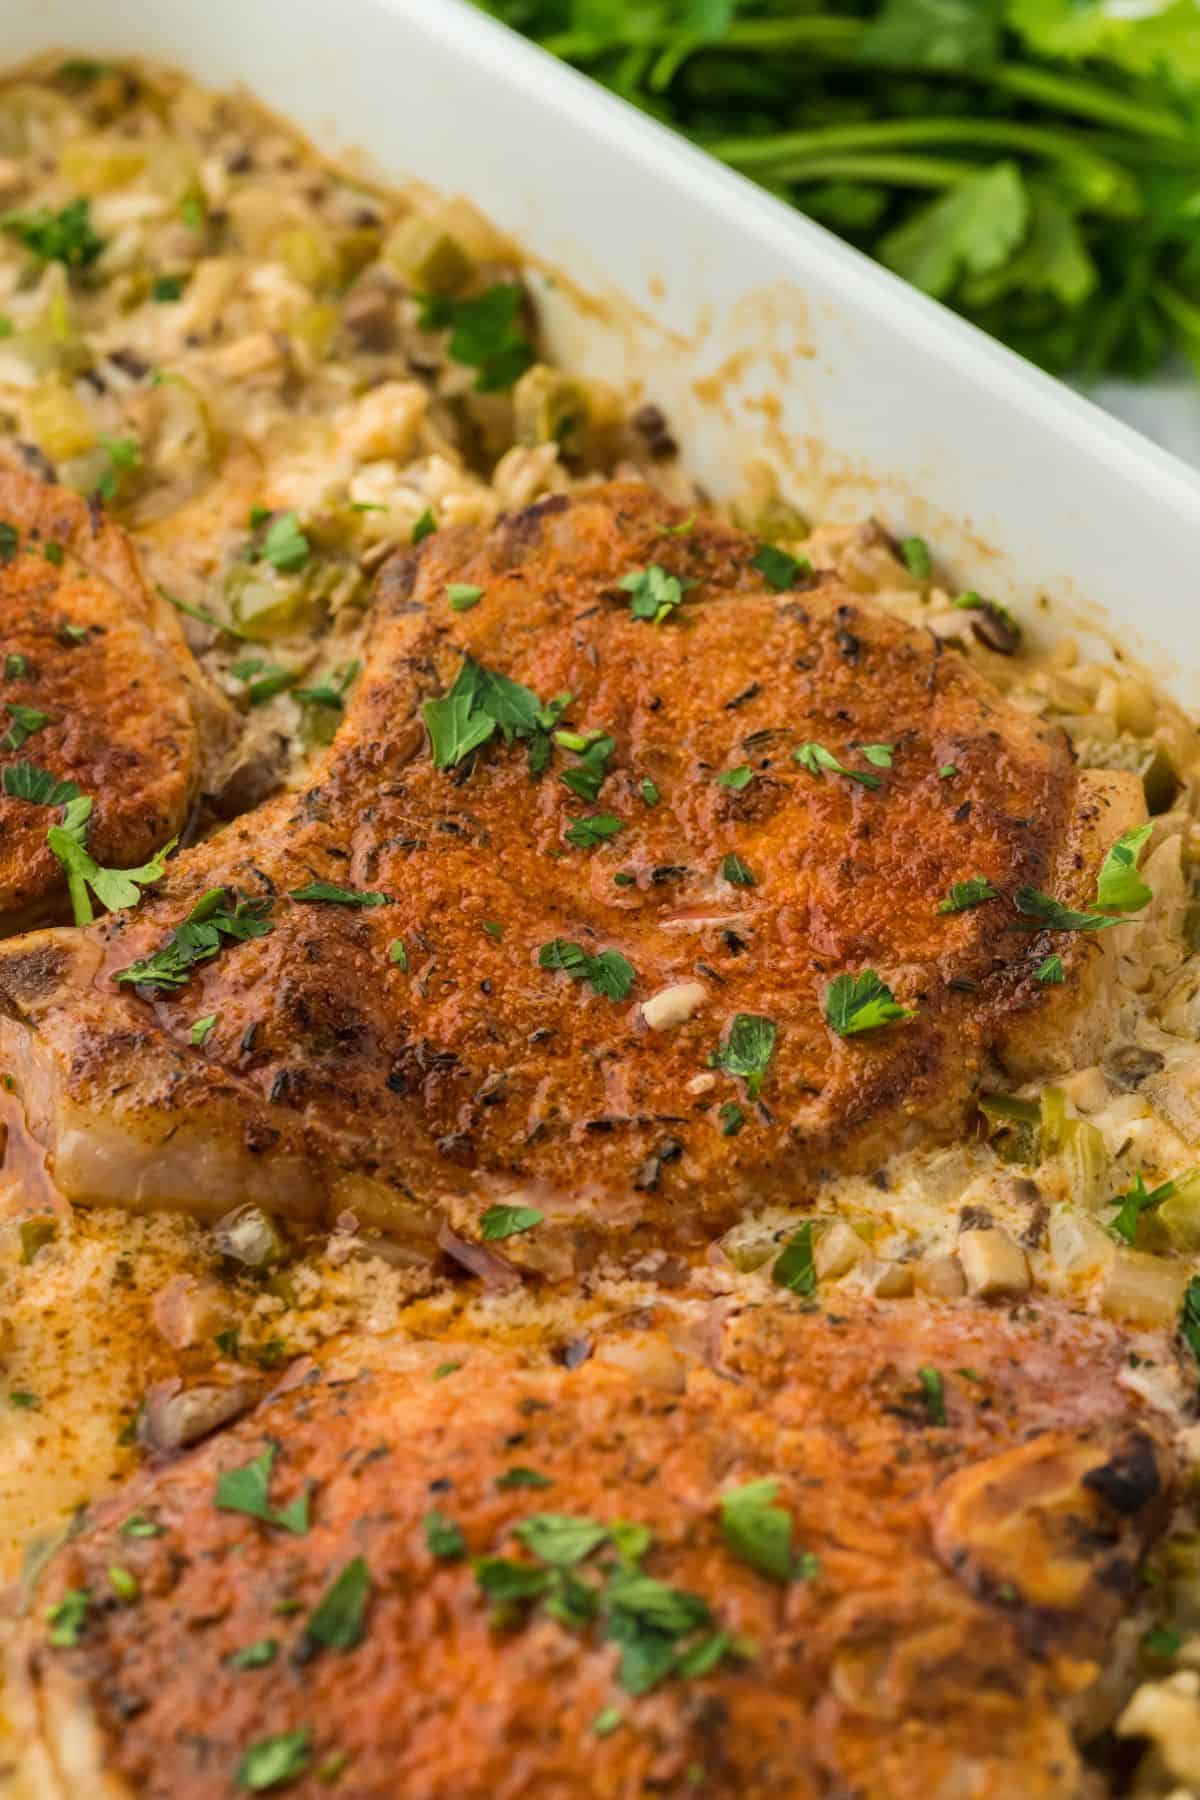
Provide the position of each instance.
(748, 325)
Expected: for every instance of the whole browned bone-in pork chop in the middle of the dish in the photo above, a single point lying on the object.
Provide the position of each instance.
(418, 1059)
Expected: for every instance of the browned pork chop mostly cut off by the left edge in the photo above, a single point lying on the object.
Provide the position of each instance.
(100, 688)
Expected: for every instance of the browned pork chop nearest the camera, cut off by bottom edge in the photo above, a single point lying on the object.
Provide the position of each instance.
(488, 1581)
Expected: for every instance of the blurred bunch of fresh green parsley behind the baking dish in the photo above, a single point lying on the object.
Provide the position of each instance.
(1032, 163)
